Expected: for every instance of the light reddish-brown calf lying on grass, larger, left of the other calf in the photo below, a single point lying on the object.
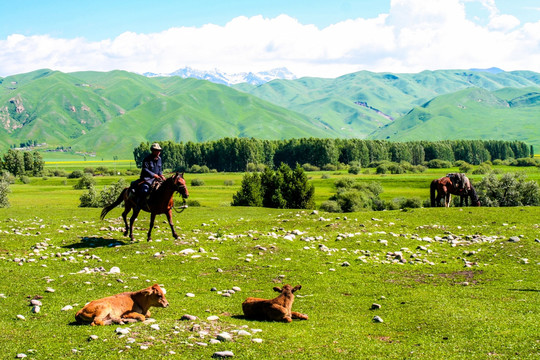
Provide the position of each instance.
(122, 308)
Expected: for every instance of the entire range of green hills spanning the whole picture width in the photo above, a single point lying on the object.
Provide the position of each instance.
(111, 112)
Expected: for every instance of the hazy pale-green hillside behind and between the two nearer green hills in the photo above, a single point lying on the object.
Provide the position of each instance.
(359, 103)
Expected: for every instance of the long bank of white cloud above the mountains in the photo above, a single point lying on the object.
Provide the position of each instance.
(414, 35)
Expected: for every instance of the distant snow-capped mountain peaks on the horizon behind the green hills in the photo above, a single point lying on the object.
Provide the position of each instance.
(219, 77)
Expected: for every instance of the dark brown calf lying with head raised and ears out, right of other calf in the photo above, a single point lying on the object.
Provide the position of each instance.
(277, 309)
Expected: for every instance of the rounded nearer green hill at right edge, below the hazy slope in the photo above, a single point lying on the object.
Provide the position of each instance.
(472, 113)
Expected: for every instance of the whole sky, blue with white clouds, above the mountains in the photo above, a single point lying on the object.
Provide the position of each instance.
(311, 38)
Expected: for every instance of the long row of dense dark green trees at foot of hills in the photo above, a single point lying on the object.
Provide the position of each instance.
(234, 154)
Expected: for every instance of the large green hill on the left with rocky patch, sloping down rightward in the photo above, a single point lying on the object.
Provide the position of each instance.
(115, 111)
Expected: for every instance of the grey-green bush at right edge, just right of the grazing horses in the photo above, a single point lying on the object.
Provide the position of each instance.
(508, 190)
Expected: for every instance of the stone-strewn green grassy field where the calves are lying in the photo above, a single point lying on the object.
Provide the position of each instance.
(450, 282)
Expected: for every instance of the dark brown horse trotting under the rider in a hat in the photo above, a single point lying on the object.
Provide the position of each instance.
(160, 202)
